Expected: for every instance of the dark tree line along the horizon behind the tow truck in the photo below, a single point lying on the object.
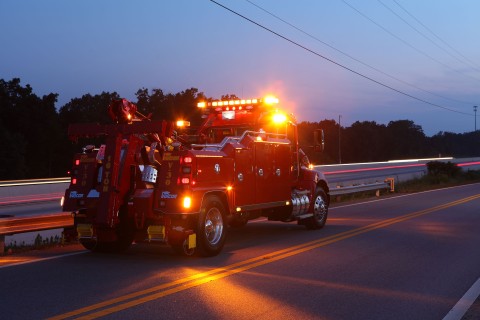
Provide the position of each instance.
(34, 142)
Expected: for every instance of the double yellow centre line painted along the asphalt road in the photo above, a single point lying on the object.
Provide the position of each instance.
(136, 298)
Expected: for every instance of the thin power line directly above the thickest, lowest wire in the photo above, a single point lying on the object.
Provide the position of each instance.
(355, 59)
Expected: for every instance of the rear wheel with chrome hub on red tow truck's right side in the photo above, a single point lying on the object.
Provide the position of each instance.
(211, 227)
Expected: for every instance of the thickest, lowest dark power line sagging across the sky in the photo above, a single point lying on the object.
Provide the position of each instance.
(334, 62)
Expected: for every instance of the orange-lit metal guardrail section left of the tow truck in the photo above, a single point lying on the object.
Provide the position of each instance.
(11, 225)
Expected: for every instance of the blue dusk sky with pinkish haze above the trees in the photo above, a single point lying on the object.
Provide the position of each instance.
(366, 60)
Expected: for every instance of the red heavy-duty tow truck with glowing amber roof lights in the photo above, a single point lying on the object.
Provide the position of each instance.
(154, 181)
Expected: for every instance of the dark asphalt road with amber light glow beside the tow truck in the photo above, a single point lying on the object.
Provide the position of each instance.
(404, 257)
